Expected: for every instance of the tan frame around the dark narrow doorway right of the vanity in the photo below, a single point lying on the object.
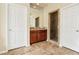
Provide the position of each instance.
(58, 42)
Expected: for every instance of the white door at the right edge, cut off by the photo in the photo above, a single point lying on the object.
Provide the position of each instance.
(70, 27)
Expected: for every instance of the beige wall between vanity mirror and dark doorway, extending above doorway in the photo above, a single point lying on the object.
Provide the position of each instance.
(50, 8)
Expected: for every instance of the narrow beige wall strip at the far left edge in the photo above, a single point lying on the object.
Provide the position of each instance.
(3, 28)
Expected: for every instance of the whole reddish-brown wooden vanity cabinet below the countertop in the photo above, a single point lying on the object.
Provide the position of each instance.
(37, 36)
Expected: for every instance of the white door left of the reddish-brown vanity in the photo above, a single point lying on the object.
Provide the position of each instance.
(17, 26)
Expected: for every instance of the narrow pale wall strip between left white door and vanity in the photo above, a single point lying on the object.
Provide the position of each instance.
(28, 22)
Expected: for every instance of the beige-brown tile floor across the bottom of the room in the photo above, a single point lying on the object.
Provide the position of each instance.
(41, 48)
